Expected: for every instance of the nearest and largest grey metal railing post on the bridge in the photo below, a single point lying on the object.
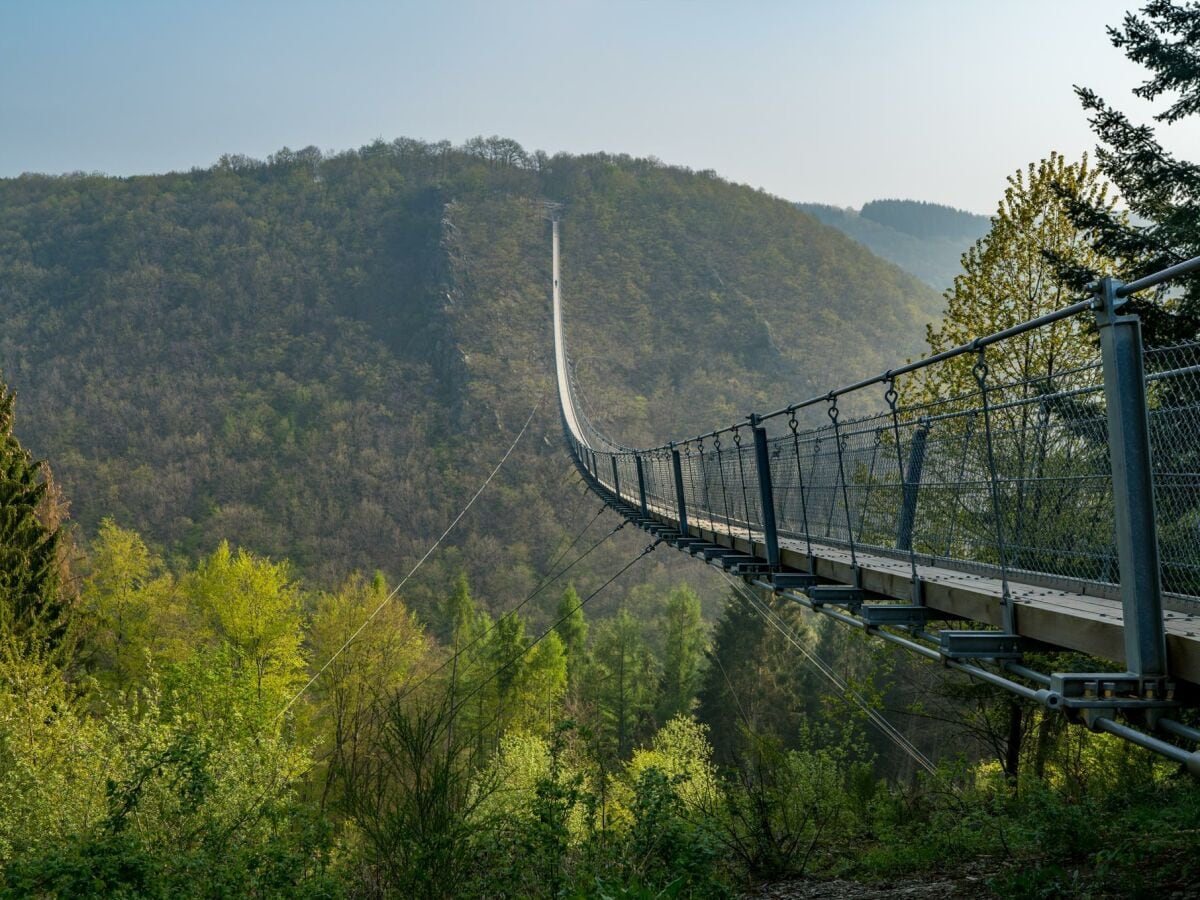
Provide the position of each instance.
(1133, 483)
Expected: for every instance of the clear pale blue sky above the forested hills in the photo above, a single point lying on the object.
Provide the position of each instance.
(832, 101)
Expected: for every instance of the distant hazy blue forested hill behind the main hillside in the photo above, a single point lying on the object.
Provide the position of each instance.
(925, 239)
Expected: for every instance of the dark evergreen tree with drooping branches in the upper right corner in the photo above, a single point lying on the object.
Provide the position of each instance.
(1156, 185)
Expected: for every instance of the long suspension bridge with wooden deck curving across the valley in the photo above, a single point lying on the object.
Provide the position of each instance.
(964, 512)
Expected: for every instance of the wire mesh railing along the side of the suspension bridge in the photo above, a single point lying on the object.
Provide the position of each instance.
(995, 460)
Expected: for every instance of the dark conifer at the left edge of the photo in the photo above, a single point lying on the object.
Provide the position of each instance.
(33, 602)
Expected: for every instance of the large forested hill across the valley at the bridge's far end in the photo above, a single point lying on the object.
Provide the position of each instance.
(321, 356)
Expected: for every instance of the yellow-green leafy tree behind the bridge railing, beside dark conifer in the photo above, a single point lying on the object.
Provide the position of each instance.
(1040, 440)
